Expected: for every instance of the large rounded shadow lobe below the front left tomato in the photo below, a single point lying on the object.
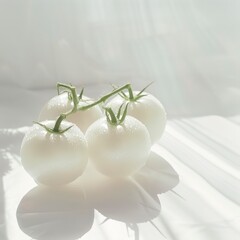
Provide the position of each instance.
(55, 213)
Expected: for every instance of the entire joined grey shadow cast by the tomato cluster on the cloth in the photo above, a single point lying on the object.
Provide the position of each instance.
(66, 213)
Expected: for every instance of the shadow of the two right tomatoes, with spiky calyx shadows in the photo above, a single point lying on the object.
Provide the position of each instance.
(135, 199)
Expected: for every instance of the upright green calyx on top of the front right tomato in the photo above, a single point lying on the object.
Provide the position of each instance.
(116, 119)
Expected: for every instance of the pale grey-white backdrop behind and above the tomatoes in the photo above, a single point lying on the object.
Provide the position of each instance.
(190, 48)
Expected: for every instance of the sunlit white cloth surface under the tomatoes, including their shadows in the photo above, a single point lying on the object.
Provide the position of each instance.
(204, 205)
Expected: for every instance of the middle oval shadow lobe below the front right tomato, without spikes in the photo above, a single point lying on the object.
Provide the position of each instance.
(126, 201)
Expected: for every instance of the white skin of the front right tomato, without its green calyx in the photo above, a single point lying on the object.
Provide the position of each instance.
(118, 150)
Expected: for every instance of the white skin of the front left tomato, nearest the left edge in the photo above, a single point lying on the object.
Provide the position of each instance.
(54, 159)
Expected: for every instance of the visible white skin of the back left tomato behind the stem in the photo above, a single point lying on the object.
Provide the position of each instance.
(61, 104)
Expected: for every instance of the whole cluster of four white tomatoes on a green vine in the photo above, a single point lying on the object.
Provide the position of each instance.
(115, 134)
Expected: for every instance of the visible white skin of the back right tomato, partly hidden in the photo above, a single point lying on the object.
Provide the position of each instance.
(148, 110)
